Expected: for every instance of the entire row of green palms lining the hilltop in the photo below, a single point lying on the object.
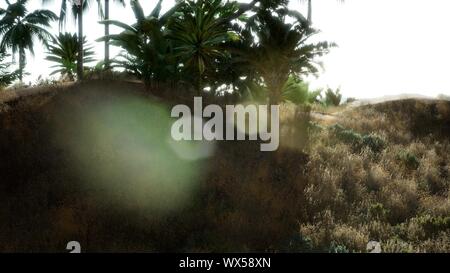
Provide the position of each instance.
(260, 49)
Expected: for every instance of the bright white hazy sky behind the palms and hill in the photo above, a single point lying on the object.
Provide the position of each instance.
(386, 47)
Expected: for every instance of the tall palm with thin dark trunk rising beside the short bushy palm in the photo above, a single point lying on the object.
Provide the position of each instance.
(78, 8)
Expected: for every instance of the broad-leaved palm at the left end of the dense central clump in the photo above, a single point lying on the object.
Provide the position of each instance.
(147, 52)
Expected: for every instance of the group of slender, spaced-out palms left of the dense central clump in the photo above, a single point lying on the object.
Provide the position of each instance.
(19, 28)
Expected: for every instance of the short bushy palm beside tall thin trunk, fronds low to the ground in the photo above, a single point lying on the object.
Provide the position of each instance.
(64, 52)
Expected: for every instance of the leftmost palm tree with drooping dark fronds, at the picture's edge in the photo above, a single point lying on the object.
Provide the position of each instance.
(20, 28)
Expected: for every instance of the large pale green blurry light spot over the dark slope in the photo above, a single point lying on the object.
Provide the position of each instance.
(122, 148)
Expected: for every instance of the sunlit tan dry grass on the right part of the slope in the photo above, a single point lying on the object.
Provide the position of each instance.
(398, 196)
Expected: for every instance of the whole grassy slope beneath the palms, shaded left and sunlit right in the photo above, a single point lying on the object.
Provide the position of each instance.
(323, 190)
